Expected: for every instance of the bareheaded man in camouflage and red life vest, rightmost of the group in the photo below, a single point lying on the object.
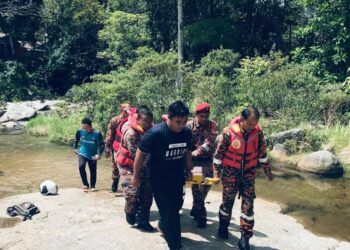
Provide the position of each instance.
(240, 151)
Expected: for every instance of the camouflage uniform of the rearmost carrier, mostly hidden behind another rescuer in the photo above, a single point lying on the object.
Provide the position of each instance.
(110, 137)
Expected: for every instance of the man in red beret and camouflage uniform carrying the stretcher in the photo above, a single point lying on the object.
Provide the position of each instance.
(204, 133)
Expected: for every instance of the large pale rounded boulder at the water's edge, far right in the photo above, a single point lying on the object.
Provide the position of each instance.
(321, 162)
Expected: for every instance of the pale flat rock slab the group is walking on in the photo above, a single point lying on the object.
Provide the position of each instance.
(77, 220)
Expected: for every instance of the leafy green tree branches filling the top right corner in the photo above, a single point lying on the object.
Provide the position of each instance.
(324, 36)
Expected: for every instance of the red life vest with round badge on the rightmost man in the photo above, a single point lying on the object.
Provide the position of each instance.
(242, 151)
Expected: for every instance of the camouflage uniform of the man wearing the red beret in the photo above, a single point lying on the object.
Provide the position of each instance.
(203, 140)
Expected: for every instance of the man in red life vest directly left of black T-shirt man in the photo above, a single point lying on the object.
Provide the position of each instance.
(138, 201)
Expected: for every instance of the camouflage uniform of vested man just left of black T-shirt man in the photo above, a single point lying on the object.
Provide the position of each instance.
(138, 200)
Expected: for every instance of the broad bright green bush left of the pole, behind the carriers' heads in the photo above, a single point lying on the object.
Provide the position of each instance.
(149, 81)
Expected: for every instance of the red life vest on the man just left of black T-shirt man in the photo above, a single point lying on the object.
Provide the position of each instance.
(123, 156)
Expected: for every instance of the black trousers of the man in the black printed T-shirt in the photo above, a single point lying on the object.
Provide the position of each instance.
(168, 196)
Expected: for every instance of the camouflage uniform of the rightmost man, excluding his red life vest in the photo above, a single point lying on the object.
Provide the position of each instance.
(234, 181)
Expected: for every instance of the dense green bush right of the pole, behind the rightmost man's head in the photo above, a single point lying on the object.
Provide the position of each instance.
(278, 88)
